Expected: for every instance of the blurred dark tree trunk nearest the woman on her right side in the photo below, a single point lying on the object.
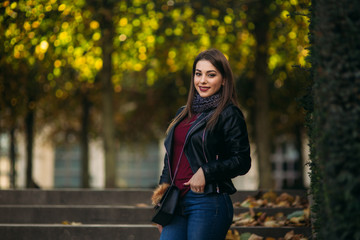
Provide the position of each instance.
(262, 124)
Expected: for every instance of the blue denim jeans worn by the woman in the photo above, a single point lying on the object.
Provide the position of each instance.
(205, 217)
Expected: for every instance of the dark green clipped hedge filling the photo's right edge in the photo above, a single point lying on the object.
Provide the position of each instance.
(334, 121)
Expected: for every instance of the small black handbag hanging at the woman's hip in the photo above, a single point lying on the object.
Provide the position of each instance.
(165, 210)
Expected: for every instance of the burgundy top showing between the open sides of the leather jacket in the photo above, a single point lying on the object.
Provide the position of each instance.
(184, 172)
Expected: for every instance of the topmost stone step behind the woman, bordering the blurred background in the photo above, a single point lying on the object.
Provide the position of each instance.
(101, 197)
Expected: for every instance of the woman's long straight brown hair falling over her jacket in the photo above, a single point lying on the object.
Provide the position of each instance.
(228, 93)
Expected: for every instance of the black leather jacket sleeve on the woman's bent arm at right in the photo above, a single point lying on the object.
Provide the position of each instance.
(236, 160)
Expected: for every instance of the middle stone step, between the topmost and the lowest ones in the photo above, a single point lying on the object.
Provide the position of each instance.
(96, 214)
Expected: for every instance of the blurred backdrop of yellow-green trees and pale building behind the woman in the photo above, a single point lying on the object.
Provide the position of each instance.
(89, 87)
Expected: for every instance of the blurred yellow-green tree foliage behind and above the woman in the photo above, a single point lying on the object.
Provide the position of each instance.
(58, 45)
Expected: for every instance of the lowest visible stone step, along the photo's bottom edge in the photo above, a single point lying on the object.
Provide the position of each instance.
(123, 232)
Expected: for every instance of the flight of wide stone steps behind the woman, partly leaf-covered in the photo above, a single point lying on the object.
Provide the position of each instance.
(96, 214)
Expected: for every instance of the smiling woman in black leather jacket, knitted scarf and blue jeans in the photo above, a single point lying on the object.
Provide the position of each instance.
(208, 141)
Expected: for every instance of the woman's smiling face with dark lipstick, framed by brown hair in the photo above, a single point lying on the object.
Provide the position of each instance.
(207, 79)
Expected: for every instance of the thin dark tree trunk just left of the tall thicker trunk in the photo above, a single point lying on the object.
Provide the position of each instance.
(85, 142)
